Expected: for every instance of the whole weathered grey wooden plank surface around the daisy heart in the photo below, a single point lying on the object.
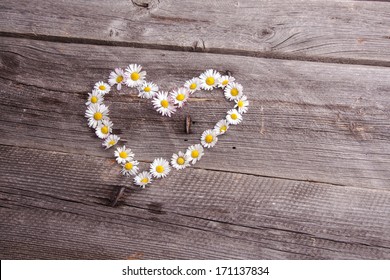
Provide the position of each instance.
(306, 175)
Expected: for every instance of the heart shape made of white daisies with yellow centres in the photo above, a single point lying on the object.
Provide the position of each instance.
(165, 103)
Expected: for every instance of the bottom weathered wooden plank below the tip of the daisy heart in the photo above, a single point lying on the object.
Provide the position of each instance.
(53, 206)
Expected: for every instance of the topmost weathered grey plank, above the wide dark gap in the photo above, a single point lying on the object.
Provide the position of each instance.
(333, 31)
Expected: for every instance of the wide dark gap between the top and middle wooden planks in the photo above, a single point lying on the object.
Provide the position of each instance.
(225, 51)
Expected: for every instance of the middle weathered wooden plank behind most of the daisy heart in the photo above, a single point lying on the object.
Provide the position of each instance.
(307, 121)
